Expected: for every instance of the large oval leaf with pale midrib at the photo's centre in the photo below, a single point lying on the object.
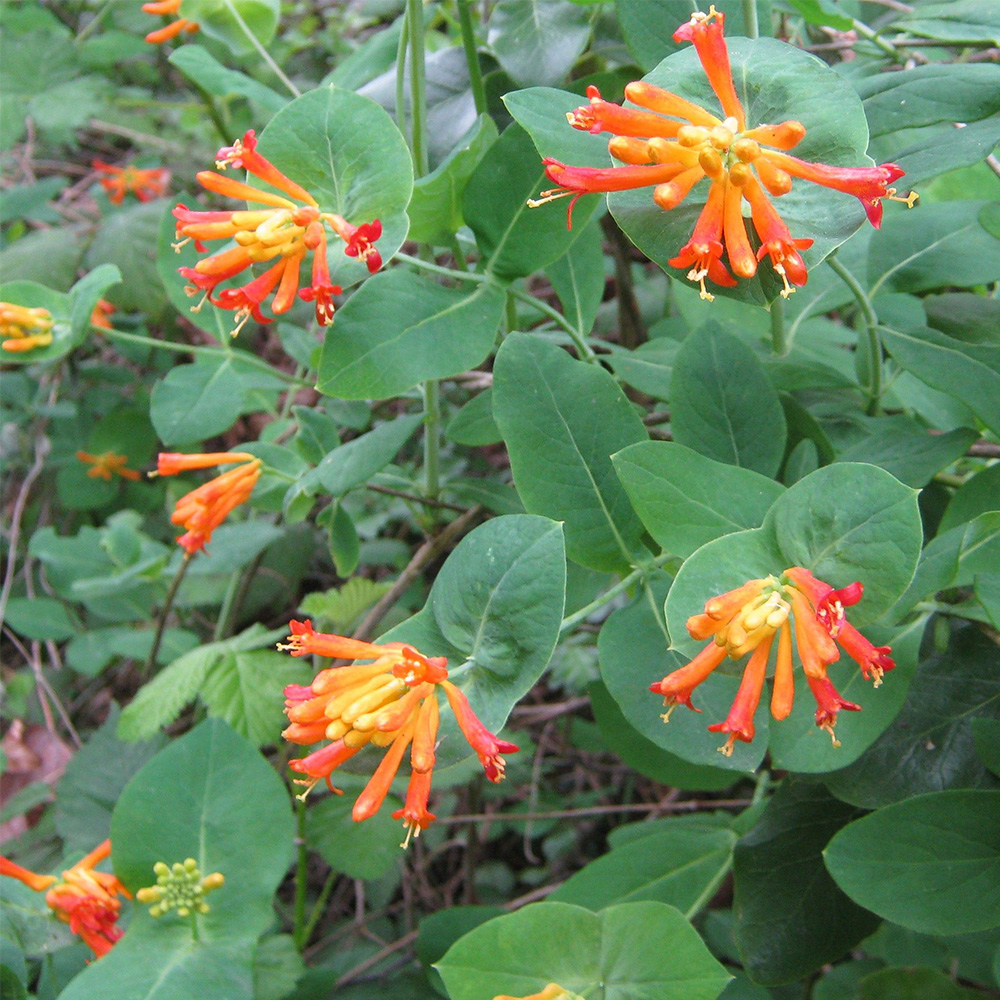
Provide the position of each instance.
(562, 419)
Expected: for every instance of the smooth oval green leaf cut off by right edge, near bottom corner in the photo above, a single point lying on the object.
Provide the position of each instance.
(938, 867)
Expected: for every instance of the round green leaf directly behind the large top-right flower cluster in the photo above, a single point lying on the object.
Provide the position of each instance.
(776, 82)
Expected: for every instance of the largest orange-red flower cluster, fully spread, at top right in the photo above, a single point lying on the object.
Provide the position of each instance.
(671, 144)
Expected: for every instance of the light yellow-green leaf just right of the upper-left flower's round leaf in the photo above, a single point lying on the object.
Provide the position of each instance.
(435, 209)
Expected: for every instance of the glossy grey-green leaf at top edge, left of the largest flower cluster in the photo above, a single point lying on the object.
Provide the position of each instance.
(537, 41)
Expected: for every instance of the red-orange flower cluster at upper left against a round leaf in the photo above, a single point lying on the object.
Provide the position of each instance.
(280, 235)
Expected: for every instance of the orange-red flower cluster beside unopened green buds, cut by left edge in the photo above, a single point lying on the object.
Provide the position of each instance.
(84, 898)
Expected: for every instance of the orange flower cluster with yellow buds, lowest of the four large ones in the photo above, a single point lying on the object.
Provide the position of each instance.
(390, 703)
